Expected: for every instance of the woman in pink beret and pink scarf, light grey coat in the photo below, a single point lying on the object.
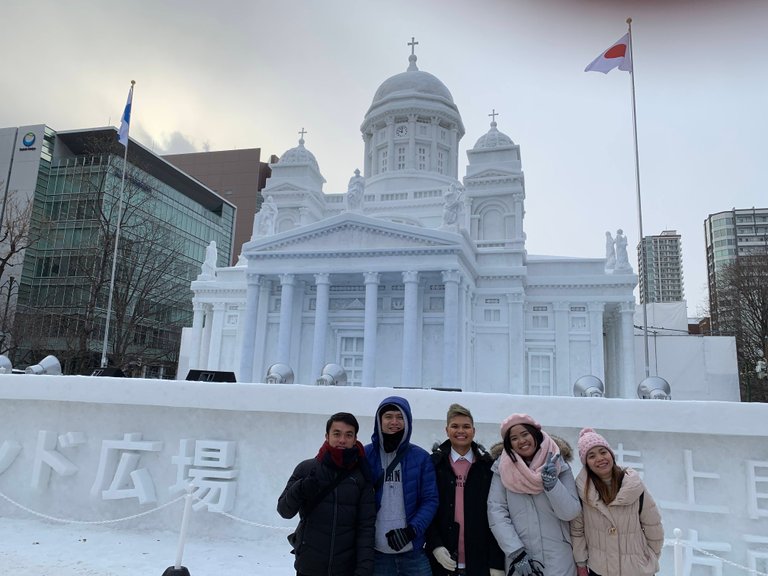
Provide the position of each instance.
(531, 500)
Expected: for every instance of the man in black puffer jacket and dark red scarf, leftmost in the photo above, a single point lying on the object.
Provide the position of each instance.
(333, 495)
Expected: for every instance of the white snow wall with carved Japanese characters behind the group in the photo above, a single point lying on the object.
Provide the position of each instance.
(98, 449)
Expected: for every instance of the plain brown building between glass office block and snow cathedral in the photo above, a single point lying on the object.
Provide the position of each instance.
(238, 176)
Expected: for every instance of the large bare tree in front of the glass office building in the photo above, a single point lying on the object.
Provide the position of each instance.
(151, 290)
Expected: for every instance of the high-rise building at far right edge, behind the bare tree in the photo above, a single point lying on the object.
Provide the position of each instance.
(730, 236)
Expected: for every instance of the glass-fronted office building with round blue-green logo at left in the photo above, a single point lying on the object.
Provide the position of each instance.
(66, 185)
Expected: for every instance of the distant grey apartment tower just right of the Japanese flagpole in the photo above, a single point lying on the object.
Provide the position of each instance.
(661, 270)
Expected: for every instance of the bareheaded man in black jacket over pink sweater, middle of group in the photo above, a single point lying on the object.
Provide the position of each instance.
(459, 540)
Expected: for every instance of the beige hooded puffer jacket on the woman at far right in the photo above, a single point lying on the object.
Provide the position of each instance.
(618, 539)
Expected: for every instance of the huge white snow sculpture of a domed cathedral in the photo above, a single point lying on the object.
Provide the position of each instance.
(413, 277)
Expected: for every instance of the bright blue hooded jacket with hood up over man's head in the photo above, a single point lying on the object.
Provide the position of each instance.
(418, 474)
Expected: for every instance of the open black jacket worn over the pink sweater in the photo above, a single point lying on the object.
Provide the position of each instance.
(482, 551)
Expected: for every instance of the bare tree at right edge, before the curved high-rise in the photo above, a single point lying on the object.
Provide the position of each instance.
(743, 312)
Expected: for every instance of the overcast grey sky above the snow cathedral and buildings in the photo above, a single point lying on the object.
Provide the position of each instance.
(252, 73)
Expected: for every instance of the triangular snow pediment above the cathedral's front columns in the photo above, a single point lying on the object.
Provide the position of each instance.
(345, 233)
